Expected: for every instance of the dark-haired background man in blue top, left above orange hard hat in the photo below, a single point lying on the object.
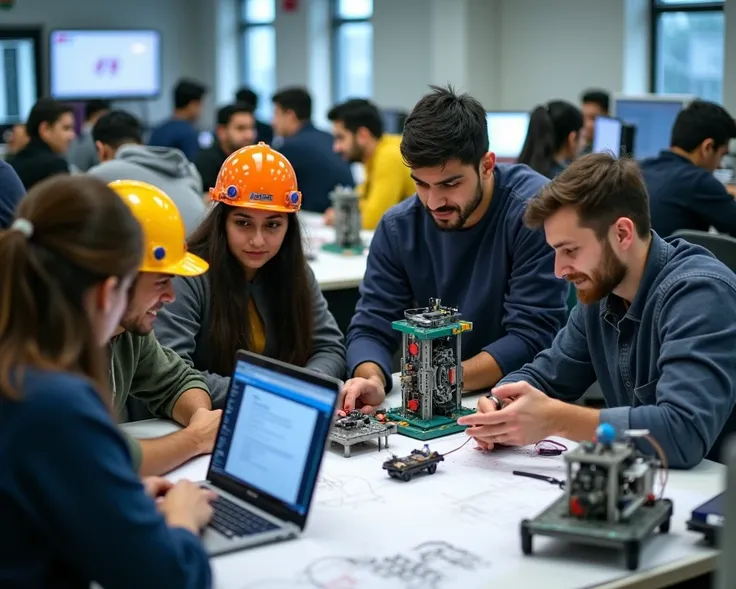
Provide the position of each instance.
(180, 132)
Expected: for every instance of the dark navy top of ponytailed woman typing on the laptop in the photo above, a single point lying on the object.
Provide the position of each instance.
(72, 508)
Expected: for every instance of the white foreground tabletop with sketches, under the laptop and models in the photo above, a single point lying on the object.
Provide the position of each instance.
(473, 503)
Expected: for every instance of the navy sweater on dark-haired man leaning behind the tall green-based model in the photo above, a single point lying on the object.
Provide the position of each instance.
(498, 272)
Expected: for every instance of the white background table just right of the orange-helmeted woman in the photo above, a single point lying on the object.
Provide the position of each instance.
(333, 271)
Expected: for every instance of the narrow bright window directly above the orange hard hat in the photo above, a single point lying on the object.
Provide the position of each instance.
(258, 37)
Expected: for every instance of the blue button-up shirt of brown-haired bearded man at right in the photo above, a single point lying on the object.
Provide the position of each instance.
(666, 364)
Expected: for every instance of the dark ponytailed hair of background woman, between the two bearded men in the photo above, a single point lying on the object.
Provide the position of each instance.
(550, 126)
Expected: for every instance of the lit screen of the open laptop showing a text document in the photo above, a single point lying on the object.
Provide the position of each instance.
(271, 425)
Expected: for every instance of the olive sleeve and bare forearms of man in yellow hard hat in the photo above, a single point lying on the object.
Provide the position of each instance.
(163, 380)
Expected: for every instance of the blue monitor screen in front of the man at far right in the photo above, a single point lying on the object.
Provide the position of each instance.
(653, 116)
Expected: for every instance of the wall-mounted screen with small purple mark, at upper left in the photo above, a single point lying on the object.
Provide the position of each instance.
(107, 64)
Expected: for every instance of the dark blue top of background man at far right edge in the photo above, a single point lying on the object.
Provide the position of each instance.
(684, 196)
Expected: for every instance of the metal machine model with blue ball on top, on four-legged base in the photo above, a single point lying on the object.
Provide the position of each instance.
(609, 497)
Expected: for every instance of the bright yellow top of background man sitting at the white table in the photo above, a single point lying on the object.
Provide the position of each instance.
(387, 181)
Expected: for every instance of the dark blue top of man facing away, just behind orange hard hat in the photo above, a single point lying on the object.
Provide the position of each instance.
(318, 168)
